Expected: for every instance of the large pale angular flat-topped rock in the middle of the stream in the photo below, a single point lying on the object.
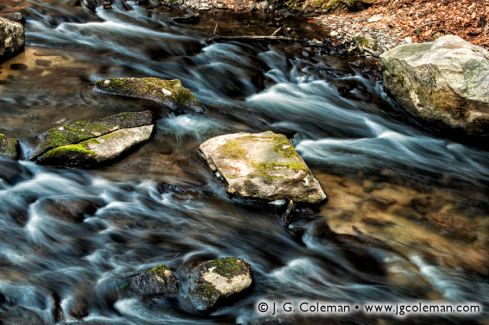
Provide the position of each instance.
(262, 166)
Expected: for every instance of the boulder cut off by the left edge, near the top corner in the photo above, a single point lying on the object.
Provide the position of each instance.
(12, 38)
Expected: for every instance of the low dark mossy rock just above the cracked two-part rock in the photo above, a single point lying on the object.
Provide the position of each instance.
(170, 93)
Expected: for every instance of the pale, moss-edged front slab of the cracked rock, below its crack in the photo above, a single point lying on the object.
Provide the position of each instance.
(98, 150)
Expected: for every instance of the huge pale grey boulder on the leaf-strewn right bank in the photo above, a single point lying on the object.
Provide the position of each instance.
(445, 81)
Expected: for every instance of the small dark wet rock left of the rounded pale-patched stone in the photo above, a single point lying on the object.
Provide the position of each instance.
(158, 281)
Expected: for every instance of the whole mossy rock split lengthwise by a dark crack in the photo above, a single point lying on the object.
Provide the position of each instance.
(92, 142)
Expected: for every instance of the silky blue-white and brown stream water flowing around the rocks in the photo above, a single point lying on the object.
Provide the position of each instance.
(407, 217)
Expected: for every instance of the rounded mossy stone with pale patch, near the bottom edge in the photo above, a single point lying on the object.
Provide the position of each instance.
(214, 282)
